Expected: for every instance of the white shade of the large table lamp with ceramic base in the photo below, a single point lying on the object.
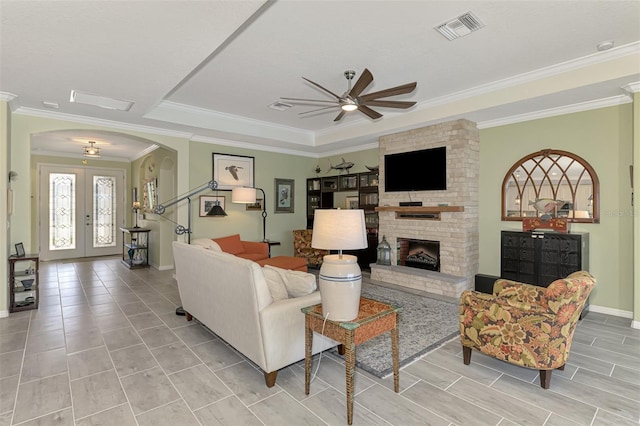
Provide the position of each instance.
(337, 229)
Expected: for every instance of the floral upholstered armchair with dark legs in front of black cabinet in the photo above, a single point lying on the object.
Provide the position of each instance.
(523, 324)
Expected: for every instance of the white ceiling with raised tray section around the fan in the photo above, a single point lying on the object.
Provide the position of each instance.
(210, 69)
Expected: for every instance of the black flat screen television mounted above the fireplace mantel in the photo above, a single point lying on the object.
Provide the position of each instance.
(424, 170)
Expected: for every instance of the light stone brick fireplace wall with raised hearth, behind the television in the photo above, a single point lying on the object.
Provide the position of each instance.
(448, 217)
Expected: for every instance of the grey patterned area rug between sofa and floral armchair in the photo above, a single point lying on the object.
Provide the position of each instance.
(424, 324)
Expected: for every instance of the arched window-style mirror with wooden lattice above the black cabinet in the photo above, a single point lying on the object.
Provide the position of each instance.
(552, 183)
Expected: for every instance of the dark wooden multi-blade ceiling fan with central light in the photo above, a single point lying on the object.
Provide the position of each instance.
(351, 100)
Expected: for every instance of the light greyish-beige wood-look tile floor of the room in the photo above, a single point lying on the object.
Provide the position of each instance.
(106, 348)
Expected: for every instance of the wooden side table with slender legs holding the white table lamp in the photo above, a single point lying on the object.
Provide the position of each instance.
(374, 318)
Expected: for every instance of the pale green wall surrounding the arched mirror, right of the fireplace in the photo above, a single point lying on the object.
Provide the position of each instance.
(603, 137)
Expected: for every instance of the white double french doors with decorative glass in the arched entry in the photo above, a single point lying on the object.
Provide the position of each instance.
(81, 211)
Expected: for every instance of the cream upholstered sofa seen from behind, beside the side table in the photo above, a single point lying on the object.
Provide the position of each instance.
(231, 297)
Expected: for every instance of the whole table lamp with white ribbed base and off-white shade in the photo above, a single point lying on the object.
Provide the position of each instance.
(340, 276)
